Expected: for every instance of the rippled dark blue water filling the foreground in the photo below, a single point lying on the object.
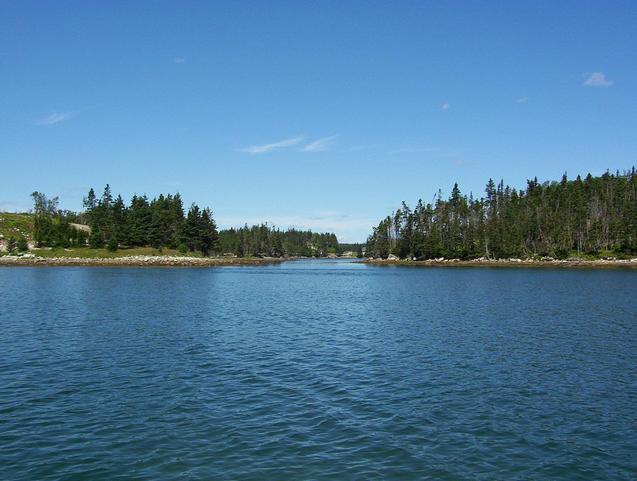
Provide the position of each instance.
(317, 370)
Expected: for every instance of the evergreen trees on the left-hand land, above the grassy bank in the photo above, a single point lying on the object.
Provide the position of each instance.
(162, 222)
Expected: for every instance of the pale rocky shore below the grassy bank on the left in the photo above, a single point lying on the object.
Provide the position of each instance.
(137, 261)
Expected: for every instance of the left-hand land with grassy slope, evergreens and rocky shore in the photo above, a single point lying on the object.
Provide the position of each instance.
(146, 228)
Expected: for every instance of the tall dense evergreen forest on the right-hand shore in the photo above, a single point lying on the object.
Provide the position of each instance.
(594, 215)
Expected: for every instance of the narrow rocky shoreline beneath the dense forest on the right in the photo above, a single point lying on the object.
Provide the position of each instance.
(484, 262)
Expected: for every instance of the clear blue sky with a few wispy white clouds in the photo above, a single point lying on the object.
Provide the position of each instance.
(315, 114)
